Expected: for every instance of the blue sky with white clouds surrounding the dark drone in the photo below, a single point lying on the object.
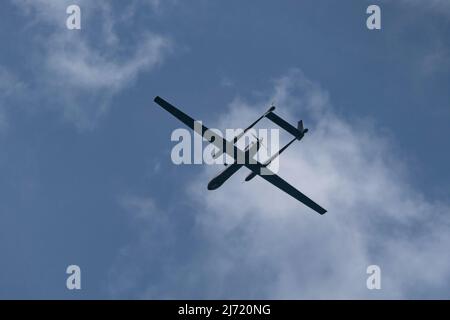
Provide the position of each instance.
(86, 174)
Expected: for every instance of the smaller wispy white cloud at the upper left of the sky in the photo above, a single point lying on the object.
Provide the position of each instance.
(83, 70)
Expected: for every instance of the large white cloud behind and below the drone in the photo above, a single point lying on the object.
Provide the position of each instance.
(257, 242)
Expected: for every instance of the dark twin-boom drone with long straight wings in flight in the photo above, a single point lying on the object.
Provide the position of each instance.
(245, 157)
